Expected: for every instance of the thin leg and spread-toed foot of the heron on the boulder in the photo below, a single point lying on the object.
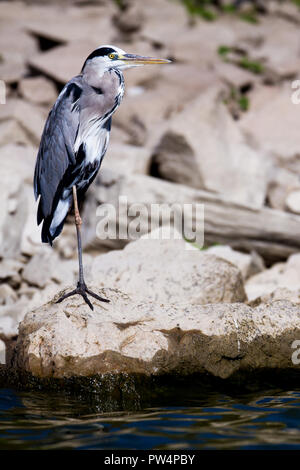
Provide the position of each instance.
(81, 288)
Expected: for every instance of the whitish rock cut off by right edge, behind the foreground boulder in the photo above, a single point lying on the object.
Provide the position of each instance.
(279, 276)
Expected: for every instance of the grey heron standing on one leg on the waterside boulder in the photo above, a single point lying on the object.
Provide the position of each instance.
(74, 141)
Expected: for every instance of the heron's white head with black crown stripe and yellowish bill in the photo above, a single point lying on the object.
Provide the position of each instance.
(107, 57)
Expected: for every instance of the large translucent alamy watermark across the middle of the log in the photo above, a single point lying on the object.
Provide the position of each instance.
(126, 221)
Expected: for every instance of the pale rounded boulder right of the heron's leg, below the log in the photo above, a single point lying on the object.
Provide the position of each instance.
(167, 271)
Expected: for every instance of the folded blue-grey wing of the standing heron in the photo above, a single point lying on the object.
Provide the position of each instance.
(56, 152)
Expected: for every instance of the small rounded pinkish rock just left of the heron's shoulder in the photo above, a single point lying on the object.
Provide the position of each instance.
(38, 90)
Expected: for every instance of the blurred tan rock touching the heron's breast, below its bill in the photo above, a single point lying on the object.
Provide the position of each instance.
(145, 114)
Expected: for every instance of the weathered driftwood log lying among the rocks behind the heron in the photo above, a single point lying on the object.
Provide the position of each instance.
(273, 234)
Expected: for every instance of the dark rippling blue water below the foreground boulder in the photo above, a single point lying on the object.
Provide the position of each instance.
(270, 420)
